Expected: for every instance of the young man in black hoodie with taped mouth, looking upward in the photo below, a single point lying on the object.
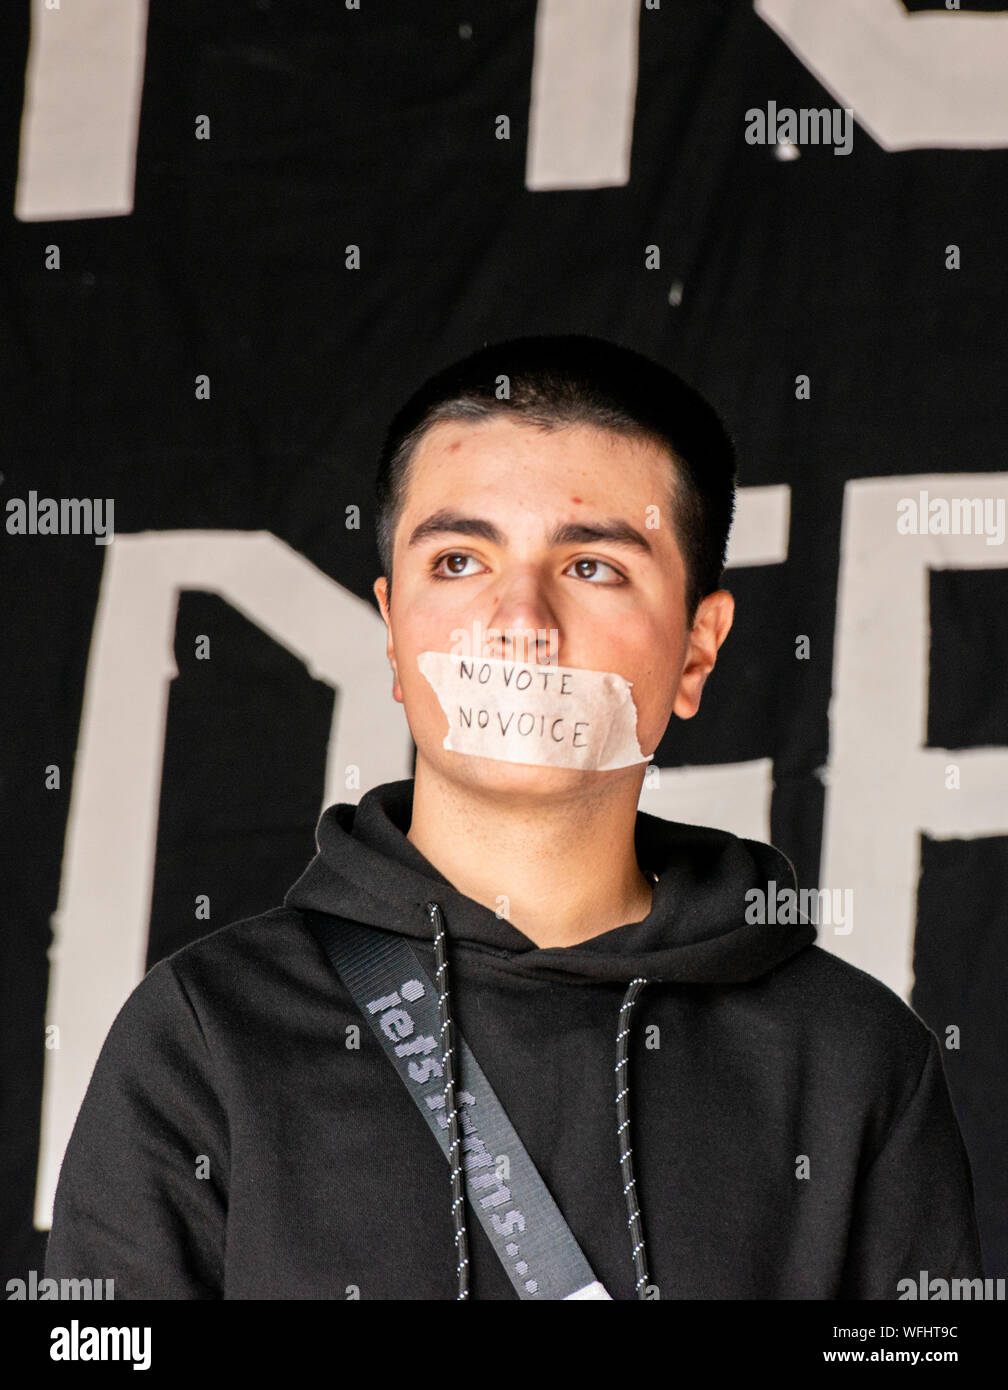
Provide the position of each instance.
(783, 1127)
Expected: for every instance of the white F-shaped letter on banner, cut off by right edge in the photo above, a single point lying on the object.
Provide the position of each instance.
(885, 786)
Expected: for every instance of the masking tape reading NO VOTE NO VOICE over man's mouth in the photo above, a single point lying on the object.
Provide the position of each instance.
(553, 717)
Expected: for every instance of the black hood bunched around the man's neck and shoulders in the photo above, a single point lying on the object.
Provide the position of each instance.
(696, 933)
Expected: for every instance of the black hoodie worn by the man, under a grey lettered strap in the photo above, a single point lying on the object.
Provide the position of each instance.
(793, 1134)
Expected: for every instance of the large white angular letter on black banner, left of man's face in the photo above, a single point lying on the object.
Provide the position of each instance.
(101, 926)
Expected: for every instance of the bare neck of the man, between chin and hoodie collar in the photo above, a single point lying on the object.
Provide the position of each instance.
(560, 867)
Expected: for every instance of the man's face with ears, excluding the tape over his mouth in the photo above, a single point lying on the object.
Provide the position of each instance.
(610, 605)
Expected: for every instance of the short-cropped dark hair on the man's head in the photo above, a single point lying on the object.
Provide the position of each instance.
(580, 380)
